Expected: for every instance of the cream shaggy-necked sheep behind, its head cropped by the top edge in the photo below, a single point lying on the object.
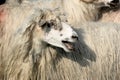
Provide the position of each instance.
(77, 11)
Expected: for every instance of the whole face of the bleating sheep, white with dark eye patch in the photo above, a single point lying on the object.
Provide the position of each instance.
(58, 34)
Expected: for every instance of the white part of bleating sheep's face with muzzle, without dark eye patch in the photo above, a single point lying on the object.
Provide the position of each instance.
(63, 38)
